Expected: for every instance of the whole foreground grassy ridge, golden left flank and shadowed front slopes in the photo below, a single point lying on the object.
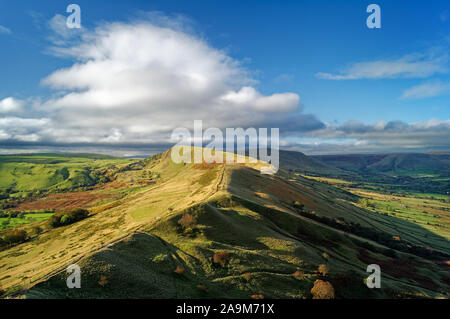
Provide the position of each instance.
(130, 248)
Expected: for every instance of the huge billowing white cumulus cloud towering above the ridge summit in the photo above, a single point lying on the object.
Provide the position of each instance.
(136, 82)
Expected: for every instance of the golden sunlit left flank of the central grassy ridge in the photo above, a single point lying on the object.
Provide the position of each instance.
(26, 263)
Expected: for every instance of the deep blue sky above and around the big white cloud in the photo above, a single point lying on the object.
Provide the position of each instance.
(285, 46)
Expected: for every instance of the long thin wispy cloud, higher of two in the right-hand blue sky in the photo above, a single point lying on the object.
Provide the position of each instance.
(409, 66)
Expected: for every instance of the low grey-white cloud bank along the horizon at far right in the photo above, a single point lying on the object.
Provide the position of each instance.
(381, 137)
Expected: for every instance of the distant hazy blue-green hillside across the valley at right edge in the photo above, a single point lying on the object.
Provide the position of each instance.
(391, 173)
